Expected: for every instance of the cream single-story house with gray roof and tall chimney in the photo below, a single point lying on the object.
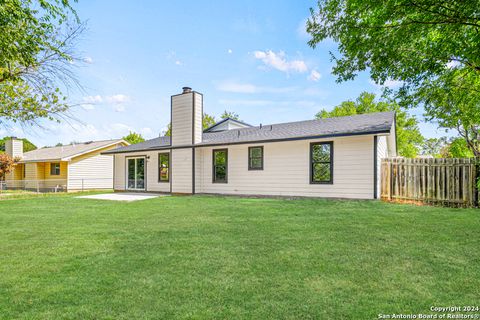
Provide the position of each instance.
(336, 157)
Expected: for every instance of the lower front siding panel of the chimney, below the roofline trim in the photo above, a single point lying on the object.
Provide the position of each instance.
(181, 170)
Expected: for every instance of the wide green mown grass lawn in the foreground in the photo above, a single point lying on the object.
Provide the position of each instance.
(207, 257)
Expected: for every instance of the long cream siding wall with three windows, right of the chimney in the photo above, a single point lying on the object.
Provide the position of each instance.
(287, 170)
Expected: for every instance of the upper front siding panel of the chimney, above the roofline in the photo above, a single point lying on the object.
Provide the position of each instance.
(182, 119)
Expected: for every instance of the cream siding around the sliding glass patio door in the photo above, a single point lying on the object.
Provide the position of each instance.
(151, 168)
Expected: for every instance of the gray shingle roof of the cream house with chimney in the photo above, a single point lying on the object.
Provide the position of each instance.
(348, 125)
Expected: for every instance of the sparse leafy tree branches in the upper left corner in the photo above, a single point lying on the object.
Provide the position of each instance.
(37, 40)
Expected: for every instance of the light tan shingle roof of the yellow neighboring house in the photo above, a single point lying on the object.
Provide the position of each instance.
(62, 152)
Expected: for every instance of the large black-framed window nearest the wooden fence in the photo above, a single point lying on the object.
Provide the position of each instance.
(321, 162)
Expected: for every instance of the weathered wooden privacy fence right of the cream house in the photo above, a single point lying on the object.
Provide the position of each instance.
(448, 182)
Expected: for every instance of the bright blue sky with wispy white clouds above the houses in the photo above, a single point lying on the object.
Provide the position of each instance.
(249, 57)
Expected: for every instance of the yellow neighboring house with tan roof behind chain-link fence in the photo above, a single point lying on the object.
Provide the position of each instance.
(79, 166)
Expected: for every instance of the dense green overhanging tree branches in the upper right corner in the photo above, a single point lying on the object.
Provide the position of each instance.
(431, 48)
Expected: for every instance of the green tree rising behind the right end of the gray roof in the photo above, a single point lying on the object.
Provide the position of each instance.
(409, 137)
